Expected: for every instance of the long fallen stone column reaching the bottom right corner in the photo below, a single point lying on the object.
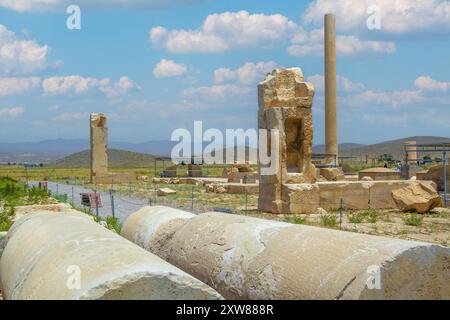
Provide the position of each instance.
(249, 258)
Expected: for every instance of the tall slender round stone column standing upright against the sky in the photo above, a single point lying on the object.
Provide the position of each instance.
(331, 128)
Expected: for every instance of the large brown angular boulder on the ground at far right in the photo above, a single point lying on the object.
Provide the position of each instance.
(418, 197)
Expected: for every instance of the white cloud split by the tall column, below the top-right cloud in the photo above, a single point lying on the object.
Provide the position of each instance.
(311, 43)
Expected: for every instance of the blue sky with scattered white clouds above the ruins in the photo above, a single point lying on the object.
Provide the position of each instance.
(153, 66)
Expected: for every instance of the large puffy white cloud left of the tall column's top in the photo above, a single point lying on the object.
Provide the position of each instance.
(221, 32)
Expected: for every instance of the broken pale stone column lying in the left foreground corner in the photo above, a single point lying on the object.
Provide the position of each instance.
(68, 256)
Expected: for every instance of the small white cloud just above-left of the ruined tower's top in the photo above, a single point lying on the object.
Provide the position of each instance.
(249, 73)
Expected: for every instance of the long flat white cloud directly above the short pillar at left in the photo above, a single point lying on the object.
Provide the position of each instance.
(77, 85)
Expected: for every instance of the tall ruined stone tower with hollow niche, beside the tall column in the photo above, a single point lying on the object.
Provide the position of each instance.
(285, 102)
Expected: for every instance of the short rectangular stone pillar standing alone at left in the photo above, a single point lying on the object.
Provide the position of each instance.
(99, 145)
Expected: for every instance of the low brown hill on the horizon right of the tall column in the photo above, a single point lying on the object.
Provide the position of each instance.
(393, 147)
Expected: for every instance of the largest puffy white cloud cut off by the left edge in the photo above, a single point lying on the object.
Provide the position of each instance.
(20, 56)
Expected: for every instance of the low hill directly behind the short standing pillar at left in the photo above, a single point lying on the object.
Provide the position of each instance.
(116, 159)
